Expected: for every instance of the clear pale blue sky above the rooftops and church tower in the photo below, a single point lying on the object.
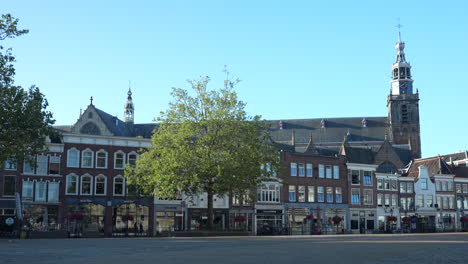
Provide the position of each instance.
(296, 59)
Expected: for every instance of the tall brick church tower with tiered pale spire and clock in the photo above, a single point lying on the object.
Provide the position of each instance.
(403, 104)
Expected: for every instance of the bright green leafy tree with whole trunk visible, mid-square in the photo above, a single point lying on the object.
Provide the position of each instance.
(206, 144)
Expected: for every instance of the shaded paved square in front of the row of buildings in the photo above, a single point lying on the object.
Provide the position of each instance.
(371, 249)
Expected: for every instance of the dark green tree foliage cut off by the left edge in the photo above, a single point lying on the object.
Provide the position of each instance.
(24, 121)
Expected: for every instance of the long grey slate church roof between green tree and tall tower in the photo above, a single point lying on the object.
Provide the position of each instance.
(334, 131)
